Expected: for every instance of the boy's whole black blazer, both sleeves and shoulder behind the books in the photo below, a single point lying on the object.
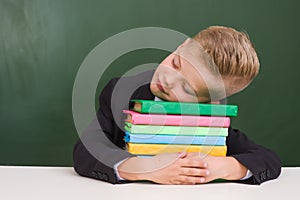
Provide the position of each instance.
(101, 145)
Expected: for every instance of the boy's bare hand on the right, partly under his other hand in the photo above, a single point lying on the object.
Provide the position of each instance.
(221, 167)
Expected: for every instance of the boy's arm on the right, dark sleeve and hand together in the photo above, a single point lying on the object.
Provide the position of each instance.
(242, 155)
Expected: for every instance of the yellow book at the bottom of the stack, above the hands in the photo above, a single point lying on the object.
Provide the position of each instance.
(154, 149)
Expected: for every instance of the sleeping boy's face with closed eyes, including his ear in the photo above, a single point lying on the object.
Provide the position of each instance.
(176, 79)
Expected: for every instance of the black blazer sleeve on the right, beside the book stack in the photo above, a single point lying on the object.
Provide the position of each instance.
(262, 162)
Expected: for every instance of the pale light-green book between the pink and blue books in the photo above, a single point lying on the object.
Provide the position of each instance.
(176, 130)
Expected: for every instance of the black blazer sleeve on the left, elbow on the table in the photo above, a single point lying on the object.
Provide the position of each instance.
(94, 154)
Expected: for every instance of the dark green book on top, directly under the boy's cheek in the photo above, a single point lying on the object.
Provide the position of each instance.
(184, 108)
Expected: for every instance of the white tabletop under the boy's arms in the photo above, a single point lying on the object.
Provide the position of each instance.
(55, 183)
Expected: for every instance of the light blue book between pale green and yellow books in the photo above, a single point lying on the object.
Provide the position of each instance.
(175, 139)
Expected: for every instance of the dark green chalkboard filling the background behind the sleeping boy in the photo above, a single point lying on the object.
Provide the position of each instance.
(44, 42)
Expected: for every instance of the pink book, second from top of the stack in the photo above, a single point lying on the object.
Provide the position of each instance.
(176, 120)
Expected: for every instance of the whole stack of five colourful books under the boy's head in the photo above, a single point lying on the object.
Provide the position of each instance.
(155, 127)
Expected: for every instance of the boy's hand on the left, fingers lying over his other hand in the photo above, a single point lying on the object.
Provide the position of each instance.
(175, 168)
